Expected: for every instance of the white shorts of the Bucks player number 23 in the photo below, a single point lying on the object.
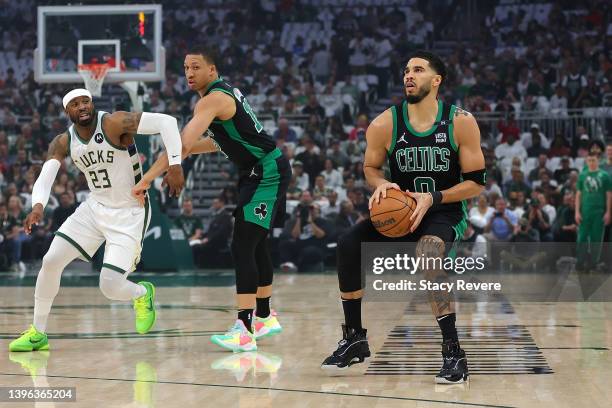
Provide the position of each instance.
(123, 230)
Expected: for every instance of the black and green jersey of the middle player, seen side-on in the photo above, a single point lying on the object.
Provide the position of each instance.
(242, 138)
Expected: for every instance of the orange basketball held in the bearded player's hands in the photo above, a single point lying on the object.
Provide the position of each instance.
(391, 217)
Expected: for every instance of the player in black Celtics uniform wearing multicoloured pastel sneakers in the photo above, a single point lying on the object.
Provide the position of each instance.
(224, 121)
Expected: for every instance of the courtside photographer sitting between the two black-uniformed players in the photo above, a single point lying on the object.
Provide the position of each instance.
(303, 241)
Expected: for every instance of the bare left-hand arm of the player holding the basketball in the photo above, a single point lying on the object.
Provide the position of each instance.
(378, 136)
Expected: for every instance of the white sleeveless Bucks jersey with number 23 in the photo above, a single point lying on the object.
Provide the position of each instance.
(111, 170)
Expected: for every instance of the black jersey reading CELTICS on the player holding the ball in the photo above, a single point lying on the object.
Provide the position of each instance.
(426, 161)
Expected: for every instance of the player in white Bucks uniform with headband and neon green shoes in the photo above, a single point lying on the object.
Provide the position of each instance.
(102, 146)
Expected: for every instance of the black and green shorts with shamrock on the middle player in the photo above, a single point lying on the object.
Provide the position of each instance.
(262, 191)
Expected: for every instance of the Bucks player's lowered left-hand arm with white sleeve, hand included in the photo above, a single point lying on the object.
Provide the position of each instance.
(58, 150)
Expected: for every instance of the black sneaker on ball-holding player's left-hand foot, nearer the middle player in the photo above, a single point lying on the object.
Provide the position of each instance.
(352, 349)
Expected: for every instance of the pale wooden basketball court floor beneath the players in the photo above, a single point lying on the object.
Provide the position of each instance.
(520, 354)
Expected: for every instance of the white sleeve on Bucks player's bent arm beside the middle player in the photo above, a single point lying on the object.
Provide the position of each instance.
(166, 126)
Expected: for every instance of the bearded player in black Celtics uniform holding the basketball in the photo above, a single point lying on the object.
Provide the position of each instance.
(434, 154)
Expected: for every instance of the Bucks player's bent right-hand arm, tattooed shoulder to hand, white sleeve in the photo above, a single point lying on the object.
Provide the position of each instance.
(150, 123)
